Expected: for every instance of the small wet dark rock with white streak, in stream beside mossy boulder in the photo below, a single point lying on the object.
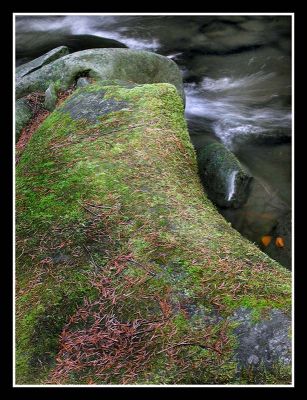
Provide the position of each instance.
(224, 178)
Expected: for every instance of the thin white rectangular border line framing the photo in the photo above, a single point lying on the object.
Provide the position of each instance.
(14, 194)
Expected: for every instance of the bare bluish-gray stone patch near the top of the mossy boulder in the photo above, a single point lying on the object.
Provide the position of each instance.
(90, 106)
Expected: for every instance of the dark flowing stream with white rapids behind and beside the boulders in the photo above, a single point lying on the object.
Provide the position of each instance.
(237, 74)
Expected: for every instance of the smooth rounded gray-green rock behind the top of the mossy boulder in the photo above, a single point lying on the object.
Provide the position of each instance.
(101, 64)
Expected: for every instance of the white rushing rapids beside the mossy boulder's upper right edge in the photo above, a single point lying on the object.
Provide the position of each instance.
(237, 107)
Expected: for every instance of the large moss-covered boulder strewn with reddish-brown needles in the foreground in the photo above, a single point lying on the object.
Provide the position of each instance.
(126, 272)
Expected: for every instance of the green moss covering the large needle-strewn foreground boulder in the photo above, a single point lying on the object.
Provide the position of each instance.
(128, 184)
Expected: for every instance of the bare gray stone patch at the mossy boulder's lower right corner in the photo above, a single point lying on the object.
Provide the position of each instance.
(265, 342)
